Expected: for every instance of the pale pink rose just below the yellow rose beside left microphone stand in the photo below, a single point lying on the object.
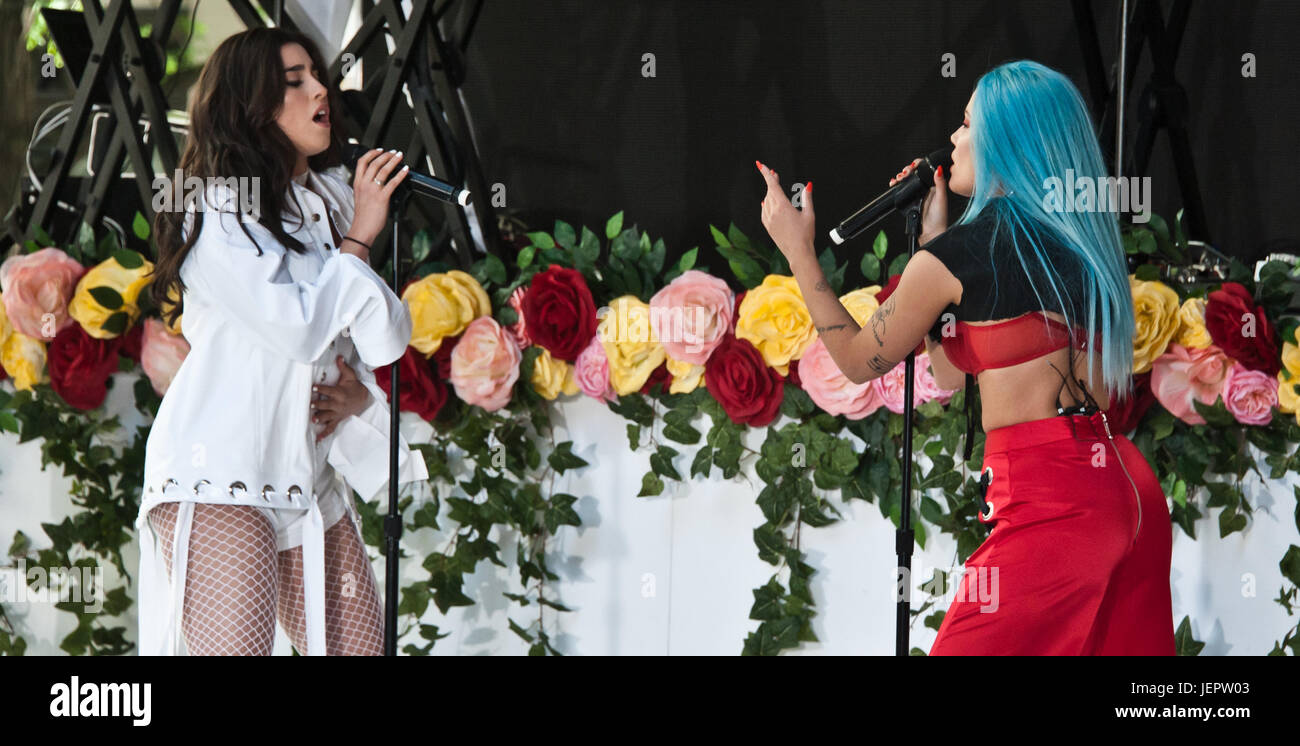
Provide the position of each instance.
(486, 365)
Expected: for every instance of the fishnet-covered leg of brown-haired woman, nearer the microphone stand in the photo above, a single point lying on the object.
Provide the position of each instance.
(354, 619)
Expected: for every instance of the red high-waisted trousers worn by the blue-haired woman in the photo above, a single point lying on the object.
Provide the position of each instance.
(1078, 559)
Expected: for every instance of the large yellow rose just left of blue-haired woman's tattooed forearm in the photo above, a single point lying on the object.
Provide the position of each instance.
(773, 318)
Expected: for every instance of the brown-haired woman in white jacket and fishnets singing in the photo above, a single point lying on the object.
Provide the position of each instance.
(275, 417)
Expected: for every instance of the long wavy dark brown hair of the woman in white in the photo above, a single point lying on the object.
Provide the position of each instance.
(233, 133)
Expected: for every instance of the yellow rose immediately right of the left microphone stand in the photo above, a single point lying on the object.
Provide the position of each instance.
(443, 305)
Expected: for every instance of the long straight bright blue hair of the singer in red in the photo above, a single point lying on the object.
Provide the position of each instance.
(1029, 124)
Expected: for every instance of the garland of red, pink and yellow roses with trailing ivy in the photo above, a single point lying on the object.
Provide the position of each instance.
(684, 340)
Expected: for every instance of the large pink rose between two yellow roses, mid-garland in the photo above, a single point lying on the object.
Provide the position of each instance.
(692, 315)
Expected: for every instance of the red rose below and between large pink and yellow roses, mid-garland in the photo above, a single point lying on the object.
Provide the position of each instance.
(736, 376)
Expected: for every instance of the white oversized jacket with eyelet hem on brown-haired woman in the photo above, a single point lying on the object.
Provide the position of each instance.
(235, 427)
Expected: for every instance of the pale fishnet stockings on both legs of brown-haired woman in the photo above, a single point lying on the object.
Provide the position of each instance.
(236, 582)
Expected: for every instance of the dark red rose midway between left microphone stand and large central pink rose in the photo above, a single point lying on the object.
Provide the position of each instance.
(560, 313)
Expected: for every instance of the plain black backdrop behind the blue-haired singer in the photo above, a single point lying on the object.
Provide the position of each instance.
(842, 94)
